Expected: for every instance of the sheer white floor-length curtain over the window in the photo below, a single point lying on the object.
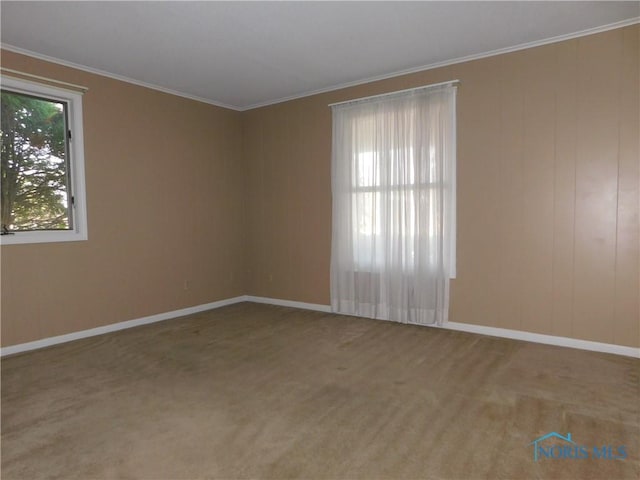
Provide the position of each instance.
(393, 186)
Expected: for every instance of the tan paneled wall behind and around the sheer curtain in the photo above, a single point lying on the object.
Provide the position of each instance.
(548, 190)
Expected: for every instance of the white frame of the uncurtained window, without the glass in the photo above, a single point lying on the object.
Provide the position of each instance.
(73, 101)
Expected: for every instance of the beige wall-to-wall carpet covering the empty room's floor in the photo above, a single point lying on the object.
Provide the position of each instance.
(255, 391)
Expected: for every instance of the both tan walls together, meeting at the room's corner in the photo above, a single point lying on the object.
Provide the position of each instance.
(548, 199)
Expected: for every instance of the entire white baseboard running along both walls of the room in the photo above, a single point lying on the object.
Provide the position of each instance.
(463, 327)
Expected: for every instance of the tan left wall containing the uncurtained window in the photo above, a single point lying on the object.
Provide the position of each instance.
(164, 192)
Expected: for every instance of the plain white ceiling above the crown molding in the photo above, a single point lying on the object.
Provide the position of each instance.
(246, 54)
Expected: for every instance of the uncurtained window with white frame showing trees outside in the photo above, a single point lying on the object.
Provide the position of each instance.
(42, 169)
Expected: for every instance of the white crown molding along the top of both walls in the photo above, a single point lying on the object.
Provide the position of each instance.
(501, 51)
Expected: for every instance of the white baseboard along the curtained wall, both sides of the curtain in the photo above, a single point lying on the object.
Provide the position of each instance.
(484, 330)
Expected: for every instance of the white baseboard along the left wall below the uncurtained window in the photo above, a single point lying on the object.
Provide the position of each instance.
(47, 342)
